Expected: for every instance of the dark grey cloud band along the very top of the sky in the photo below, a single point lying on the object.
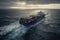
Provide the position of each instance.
(34, 1)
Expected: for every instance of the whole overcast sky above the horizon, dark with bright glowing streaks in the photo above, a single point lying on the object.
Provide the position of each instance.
(29, 4)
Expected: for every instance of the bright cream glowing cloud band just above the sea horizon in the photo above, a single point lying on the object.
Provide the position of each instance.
(47, 6)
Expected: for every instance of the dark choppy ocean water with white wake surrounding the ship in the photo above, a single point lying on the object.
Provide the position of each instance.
(10, 28)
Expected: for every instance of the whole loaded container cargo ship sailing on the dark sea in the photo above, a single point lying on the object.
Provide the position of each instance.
(32, 19)
